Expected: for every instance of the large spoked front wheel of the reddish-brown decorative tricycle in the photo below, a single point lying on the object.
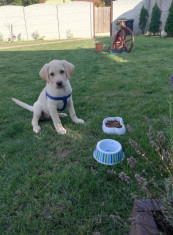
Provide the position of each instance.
(124, 40)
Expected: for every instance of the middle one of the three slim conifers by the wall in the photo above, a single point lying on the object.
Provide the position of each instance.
(155, 20)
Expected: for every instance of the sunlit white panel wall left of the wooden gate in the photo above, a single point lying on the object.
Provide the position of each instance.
(73, 19)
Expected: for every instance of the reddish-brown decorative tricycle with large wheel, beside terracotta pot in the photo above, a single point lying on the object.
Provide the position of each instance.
(123, 39)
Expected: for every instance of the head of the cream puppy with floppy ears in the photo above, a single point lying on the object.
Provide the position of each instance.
(57, 72)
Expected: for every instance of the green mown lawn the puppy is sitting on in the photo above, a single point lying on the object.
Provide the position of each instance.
(50, 183)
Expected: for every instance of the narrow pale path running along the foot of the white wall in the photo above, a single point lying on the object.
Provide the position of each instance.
(44, 43)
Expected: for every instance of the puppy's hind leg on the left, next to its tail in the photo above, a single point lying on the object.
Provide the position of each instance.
(36, 116)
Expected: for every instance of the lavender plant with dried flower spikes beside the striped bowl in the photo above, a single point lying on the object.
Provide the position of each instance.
(148, 183)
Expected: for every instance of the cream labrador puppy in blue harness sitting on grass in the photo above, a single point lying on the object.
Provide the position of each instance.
(54, 98)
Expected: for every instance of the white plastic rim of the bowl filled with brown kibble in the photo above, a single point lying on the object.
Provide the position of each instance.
(114, 130)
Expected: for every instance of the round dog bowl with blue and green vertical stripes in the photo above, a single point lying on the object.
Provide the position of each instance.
(108, 152)
